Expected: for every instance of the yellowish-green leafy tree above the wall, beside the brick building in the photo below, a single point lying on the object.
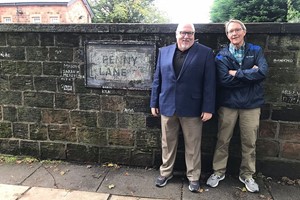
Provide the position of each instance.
(126, 11)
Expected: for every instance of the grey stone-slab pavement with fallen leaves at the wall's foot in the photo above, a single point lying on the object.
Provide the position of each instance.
(22, 180)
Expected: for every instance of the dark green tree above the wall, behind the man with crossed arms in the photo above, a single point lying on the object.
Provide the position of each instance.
(250, 11)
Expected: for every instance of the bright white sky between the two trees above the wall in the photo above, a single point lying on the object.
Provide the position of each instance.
(194, 11)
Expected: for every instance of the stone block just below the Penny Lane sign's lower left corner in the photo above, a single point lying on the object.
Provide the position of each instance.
(89, 102)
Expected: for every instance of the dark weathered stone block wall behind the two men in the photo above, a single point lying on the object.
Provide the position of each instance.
(48, 113)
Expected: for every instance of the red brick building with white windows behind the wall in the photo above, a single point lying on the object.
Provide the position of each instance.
(45, 11)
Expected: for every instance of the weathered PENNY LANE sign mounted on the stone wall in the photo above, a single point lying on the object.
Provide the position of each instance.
(119, 64)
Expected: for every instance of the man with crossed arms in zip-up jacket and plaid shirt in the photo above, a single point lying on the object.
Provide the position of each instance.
(241, 69)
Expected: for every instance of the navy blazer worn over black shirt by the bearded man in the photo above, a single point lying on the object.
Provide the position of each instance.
(193, 92)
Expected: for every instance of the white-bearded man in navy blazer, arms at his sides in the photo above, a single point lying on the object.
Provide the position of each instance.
(183, 93)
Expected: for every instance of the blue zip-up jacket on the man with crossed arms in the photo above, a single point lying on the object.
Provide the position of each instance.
(245, 89)
